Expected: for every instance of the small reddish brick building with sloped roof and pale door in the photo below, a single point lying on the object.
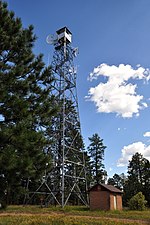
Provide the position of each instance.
(105, 197)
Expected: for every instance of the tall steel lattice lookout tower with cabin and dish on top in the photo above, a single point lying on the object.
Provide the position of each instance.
(68, 176)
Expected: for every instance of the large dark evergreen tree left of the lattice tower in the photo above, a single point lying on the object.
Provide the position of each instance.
(26, 106)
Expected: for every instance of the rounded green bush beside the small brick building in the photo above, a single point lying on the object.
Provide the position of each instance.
(137, 202)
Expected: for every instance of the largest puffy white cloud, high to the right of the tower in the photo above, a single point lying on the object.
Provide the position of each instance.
(116, 95)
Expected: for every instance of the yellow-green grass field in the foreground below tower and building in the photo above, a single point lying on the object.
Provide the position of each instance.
(34, 215)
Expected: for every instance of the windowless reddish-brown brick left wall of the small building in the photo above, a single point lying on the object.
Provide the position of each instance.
(99, 200)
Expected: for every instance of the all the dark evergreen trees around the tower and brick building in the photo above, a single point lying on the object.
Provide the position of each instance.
(27, 108)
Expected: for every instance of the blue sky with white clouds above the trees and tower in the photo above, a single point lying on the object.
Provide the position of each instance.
(113, 67)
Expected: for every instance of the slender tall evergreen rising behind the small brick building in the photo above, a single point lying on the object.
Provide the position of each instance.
(96, 153)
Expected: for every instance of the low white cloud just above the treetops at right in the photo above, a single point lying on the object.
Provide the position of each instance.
(129, 150)
